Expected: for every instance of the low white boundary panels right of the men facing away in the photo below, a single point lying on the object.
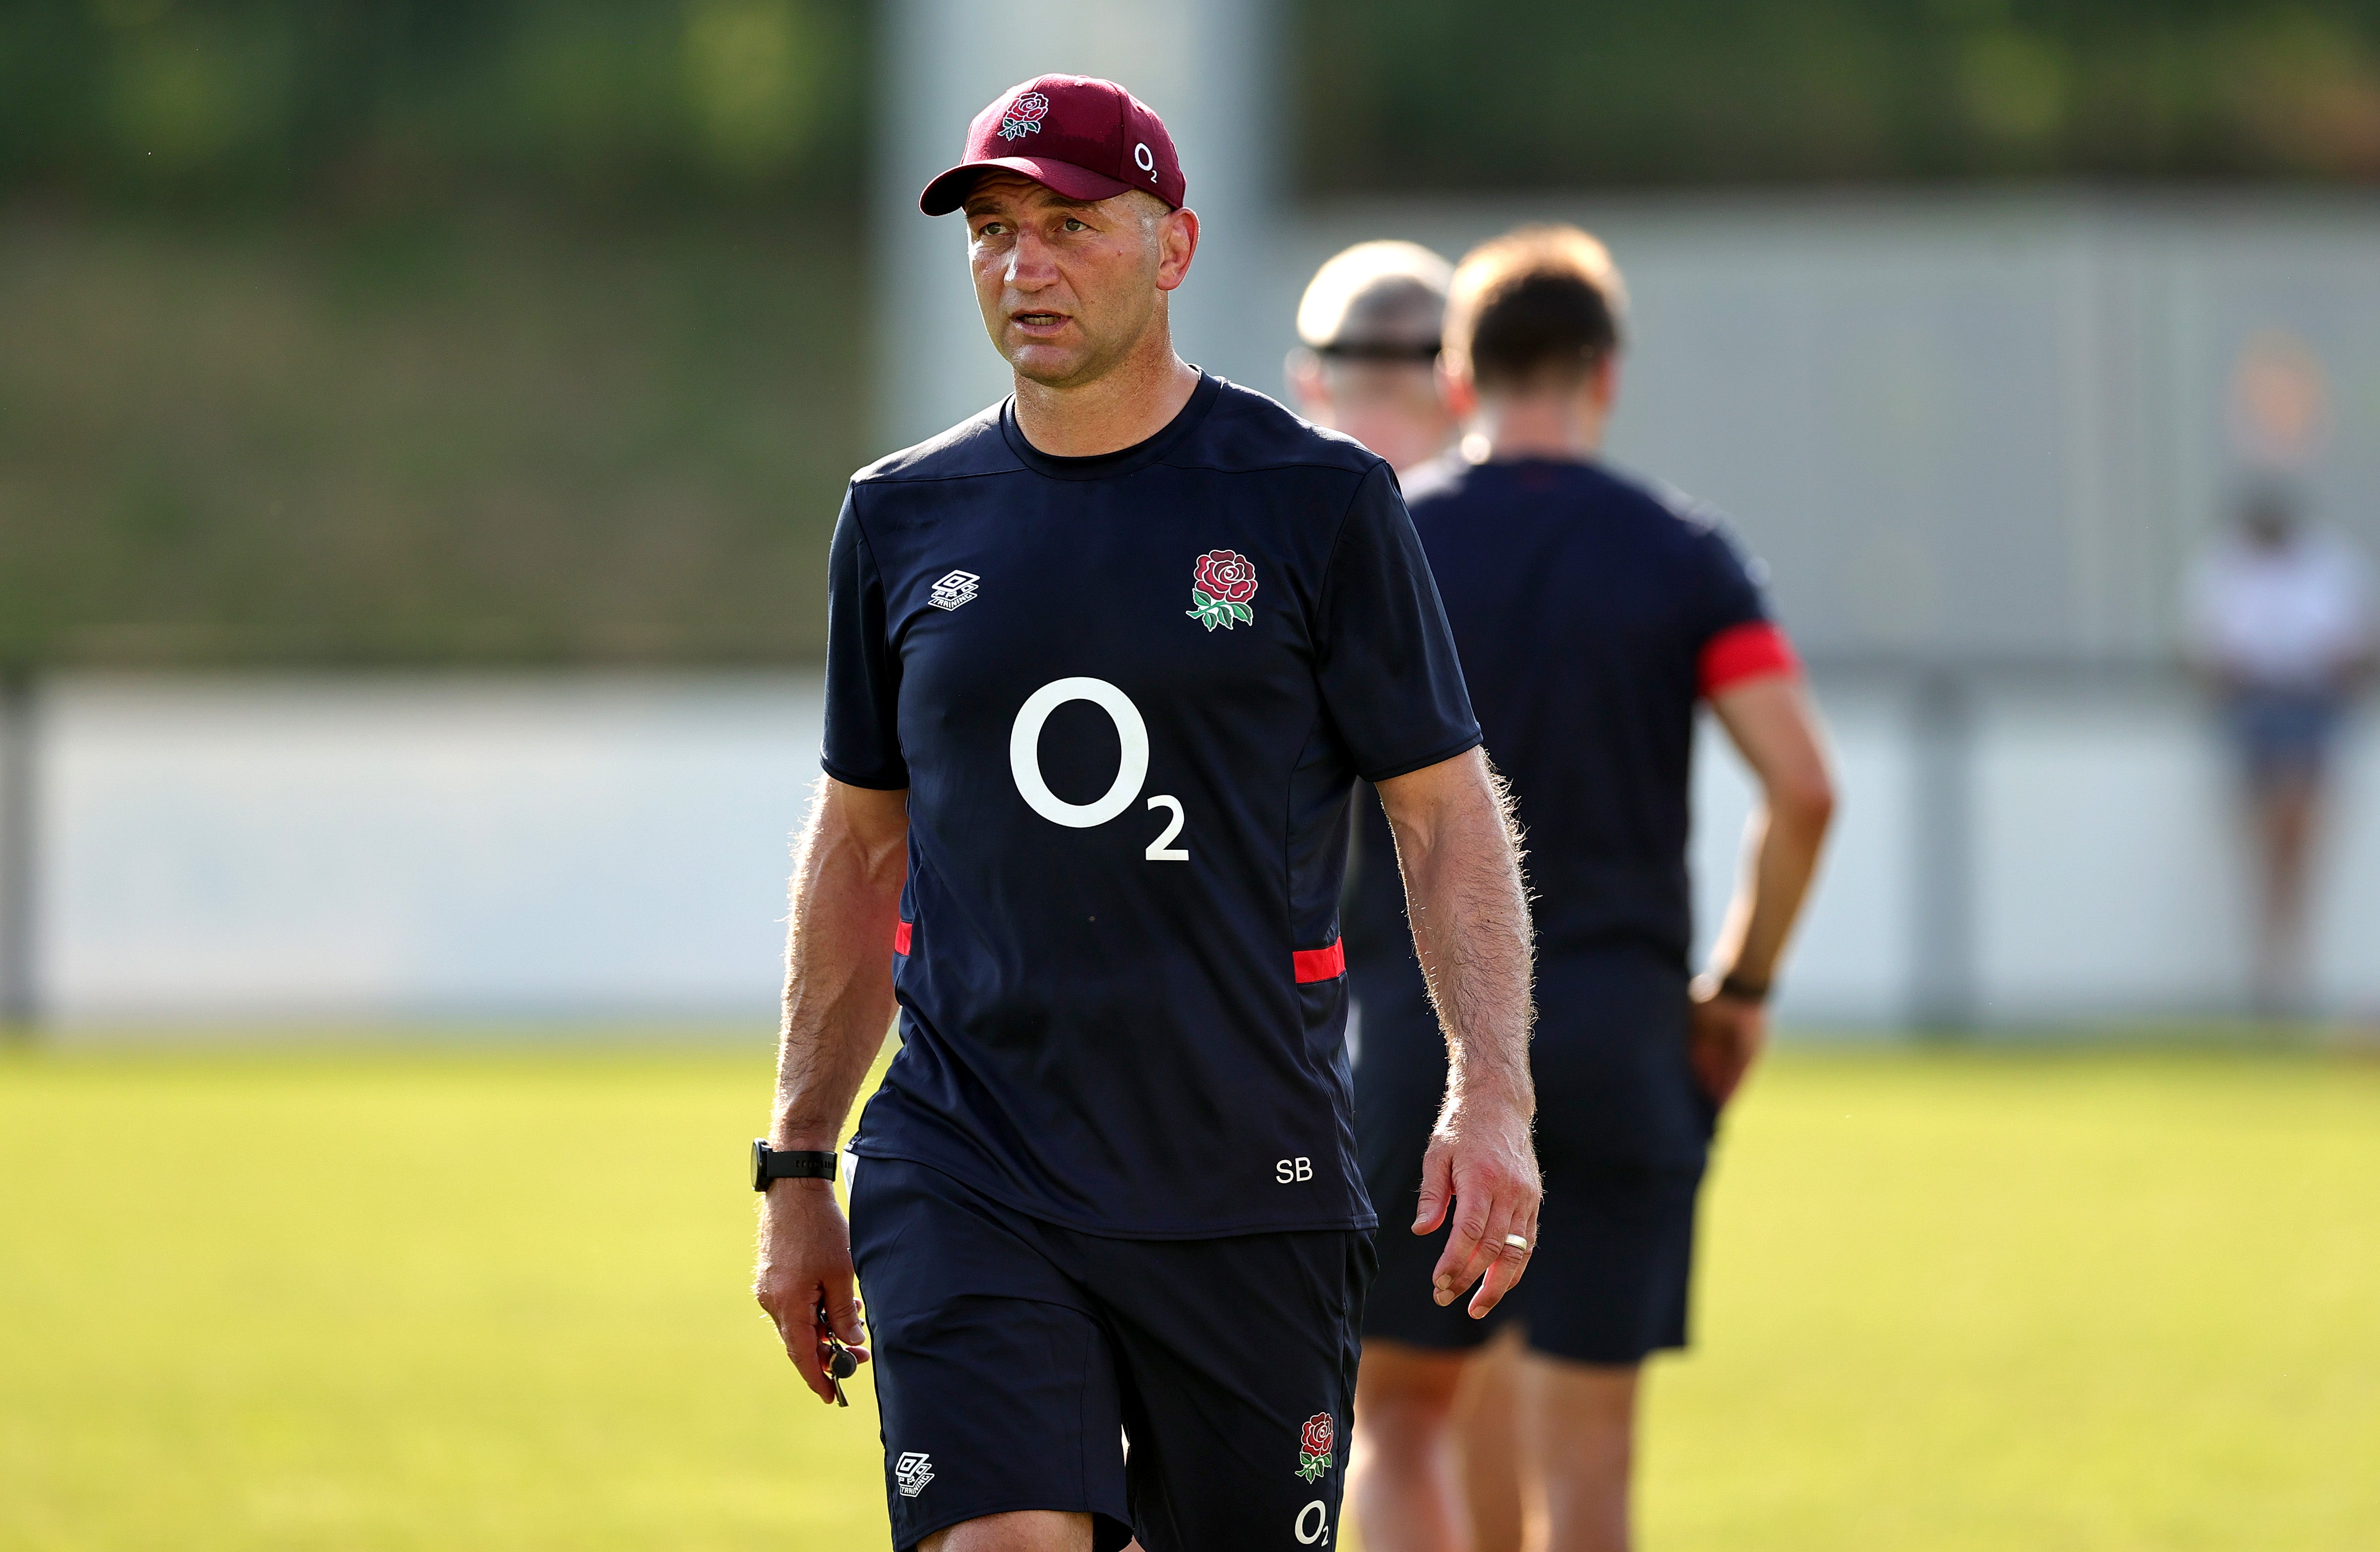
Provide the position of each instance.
(2107, 861)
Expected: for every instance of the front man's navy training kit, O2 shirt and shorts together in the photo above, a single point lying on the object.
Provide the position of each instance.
(1129, 699)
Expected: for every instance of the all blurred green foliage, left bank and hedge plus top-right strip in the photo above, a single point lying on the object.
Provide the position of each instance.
(513, 332)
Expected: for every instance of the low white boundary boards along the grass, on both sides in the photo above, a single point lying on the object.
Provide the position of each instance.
(608, 846)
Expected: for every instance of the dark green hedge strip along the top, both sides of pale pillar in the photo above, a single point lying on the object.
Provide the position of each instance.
(639, 104)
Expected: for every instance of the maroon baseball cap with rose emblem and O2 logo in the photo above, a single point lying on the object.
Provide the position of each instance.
(1082, 137)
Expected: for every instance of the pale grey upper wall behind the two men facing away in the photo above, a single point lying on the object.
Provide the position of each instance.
(1962, 423)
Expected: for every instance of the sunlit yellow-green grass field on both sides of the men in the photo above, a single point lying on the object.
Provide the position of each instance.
(496, 1298)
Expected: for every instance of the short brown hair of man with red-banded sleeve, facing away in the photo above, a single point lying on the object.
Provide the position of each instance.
(1539, 306)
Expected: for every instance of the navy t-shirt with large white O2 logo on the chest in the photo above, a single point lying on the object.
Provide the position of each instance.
(1129, 699)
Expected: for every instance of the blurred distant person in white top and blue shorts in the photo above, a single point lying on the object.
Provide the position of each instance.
(2281, 625)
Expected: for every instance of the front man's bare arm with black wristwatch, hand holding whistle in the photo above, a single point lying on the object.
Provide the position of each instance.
(839, 1003)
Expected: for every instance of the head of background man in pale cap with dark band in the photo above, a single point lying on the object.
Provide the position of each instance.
(1370, 358)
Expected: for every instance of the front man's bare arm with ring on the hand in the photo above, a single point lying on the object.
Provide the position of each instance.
(1470, 910)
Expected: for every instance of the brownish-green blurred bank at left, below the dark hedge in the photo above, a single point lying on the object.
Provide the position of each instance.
(480, 439)
